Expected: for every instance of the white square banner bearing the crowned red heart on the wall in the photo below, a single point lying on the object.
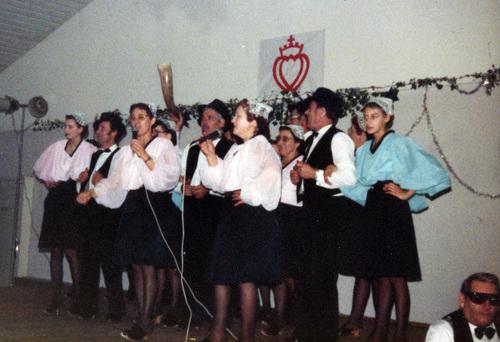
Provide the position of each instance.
(291, 63)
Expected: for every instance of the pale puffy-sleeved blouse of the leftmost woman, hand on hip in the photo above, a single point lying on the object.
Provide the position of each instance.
(54, 164)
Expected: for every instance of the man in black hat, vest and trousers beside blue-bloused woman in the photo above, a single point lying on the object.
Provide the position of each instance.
(327, 211)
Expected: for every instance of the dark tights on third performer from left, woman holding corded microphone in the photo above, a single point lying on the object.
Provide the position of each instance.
(146, 288)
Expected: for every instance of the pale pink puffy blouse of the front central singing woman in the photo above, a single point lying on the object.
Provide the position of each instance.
(254, 167)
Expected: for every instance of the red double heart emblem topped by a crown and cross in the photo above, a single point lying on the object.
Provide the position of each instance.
(290, 68)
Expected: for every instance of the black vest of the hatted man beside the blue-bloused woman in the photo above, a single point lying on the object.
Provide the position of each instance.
(319, 158)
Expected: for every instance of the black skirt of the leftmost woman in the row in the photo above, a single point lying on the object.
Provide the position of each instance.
(59, 224)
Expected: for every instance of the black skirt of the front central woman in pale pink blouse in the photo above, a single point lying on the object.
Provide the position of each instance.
(246, 248)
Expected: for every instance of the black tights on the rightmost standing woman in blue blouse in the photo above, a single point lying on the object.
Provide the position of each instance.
(392, 289)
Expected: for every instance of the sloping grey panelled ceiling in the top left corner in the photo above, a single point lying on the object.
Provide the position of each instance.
(25, 23)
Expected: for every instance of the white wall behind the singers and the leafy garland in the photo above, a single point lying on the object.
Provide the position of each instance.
(105, 58)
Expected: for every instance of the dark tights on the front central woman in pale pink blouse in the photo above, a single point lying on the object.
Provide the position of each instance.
(248, 304)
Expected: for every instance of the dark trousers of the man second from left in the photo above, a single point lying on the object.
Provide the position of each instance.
(95, 253)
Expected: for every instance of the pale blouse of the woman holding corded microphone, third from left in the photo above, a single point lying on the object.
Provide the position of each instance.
(129, 172)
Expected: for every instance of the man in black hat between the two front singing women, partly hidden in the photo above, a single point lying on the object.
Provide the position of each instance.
(202, 207)
